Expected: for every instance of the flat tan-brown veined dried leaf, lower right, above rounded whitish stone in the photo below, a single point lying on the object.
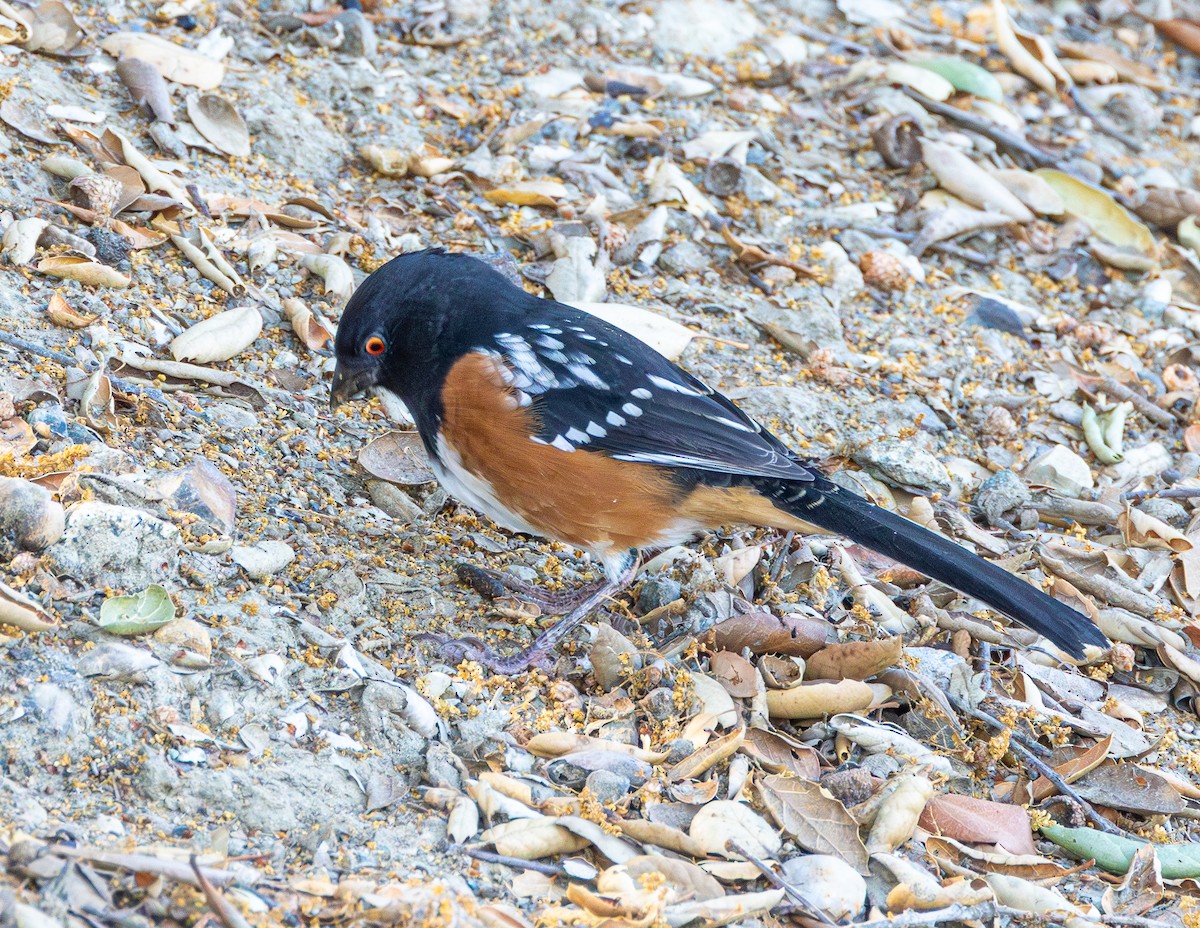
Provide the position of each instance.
(814, 818)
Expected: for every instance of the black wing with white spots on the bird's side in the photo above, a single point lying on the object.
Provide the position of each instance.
(595, 387)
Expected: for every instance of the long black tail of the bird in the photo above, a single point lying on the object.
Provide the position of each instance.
(839, 511)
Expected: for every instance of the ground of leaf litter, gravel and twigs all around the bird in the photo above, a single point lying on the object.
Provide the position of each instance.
(795, 208)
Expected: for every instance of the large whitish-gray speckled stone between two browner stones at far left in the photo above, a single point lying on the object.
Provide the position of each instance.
(116, 547)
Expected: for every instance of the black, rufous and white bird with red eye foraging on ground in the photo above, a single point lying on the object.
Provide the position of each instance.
(556, 424)
